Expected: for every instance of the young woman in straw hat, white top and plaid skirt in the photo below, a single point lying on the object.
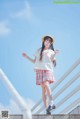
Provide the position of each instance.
(44, 61)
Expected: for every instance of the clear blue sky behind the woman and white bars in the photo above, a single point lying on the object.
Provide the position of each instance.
(22, 25)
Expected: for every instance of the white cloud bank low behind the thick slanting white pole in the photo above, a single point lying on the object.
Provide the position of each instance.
(13, 107)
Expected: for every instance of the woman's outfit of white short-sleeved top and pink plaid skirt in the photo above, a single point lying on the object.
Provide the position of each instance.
(44, 68)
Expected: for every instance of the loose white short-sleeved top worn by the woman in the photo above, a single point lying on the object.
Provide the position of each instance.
(47, 57)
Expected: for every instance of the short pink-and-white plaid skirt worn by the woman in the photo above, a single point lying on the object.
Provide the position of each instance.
(44, 75)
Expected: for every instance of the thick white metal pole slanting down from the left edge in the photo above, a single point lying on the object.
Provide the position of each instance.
(16, 96)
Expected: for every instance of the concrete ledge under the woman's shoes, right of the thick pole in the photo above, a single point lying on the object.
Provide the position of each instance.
(74, 114)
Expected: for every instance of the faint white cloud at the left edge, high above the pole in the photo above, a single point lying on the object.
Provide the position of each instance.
(4, 29)
